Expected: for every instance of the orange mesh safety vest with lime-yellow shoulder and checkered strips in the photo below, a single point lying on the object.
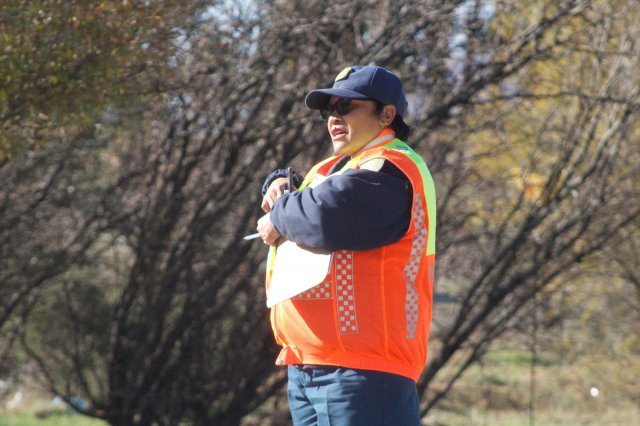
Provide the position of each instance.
(373, 309)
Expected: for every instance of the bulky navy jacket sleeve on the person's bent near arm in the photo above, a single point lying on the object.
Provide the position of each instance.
(357, 210)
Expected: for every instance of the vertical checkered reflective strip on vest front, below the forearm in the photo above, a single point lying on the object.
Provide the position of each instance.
(345, 292)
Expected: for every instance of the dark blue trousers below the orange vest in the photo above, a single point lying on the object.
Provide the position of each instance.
(335, 396)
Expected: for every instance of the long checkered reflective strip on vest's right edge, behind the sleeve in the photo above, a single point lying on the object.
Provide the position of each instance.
(418, 248)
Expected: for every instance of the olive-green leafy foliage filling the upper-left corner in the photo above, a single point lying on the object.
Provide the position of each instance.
(60, 60)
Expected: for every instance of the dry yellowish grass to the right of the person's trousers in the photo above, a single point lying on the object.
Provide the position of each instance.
(500, 392)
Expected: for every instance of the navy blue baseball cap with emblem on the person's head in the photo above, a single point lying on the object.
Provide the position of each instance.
(362, 82)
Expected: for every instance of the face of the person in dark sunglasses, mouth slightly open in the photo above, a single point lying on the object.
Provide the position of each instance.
(352, 131)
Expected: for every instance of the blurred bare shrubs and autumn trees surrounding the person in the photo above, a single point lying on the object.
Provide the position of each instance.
(135, 137)
